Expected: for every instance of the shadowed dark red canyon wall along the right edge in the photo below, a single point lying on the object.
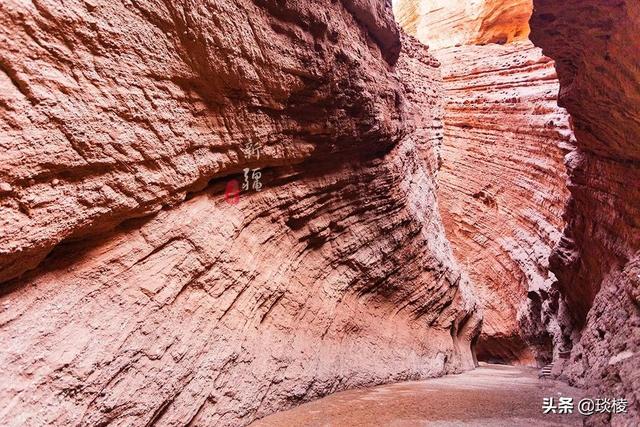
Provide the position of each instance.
(597, 50)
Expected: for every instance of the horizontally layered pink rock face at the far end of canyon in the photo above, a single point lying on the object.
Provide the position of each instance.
(502, 186)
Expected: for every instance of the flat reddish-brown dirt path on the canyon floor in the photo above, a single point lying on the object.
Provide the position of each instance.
(491, 395)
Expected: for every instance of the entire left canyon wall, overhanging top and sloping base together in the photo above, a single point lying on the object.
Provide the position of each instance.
(135, 292)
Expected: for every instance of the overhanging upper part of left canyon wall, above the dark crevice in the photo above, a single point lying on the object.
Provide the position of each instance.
(113, 110)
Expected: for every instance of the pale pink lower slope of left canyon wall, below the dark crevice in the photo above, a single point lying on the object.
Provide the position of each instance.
(219, 314)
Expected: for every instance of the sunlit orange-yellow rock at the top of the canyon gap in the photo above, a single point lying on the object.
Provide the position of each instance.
(446, 23)
